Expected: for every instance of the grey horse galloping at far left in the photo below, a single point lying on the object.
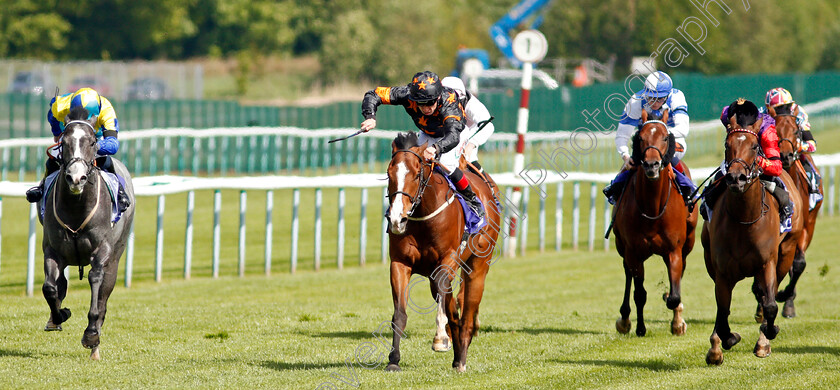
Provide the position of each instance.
(78, 230)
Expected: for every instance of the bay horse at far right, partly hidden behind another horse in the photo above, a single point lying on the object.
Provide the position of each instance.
(789, 141)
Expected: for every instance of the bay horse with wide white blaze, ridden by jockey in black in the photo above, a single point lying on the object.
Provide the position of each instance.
(425, 235)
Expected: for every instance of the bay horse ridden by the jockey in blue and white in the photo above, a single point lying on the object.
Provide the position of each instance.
(651, 218)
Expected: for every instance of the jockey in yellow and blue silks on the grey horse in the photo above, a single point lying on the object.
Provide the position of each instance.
(107, 127)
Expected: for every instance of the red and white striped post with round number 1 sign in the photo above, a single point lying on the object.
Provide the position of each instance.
(528, 46)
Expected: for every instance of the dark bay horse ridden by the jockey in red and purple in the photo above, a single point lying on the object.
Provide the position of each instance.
(743, 240)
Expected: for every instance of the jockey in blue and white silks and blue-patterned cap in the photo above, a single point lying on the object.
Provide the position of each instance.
(657, 96)
